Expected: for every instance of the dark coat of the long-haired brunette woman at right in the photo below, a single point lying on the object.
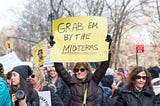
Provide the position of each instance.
(133, 98)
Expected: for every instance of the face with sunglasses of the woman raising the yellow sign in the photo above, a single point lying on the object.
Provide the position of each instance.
(81, 74)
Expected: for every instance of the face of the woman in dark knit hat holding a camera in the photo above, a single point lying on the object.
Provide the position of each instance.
(15, 78)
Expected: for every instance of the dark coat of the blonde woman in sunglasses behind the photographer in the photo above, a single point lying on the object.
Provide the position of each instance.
(55, 100)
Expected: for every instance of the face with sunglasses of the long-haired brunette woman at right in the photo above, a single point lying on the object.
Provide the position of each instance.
(140, 80)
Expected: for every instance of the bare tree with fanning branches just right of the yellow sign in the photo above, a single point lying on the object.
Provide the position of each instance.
(122, 18)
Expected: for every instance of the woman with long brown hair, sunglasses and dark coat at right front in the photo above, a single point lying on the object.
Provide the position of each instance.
(138, 90)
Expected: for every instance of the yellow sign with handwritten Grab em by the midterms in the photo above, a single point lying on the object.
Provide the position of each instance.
(80, 39)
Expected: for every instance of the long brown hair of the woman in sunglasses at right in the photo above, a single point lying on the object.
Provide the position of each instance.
(130, 83)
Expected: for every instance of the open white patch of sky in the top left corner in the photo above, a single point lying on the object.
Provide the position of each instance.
(7, 16)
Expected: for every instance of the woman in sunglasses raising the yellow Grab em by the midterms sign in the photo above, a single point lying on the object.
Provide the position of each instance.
(83, 84)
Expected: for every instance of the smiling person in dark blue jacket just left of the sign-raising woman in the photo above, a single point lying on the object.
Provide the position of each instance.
(61, 88)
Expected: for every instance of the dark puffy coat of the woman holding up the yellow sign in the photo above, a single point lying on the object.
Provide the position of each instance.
(77, 87)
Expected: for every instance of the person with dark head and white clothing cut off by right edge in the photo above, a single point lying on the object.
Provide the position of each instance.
(155, 81)
